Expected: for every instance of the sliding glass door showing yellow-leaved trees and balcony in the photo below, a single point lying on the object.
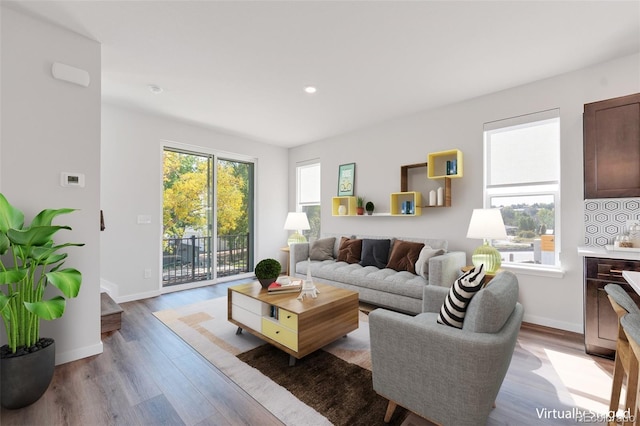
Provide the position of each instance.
(207, 217)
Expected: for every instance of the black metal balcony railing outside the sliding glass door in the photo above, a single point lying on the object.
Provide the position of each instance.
(187, 260)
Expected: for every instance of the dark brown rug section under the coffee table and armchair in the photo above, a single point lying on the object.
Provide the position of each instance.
(340, 391)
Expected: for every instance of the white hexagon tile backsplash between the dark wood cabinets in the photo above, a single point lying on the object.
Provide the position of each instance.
(605, 218)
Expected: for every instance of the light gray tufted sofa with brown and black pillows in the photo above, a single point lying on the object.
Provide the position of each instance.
(393, 278)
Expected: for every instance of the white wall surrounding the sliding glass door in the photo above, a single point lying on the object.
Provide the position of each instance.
(132, 186)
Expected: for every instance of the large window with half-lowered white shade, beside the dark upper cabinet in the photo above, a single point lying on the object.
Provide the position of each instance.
(522, 177)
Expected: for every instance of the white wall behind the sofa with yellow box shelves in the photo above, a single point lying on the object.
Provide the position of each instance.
(380, 150)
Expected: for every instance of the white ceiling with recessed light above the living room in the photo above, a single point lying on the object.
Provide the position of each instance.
(240, 66)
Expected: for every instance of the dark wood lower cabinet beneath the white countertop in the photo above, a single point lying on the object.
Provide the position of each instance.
(600, 321)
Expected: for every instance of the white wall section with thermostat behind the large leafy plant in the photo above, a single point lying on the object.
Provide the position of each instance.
(48, 127)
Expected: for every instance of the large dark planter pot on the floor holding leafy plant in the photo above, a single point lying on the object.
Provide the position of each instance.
(25, 378)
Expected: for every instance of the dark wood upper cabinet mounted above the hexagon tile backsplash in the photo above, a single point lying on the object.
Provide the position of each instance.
(612, 148)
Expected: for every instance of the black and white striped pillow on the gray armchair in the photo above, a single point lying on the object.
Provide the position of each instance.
(463, 289)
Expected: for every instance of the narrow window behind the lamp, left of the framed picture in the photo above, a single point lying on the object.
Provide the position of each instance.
(308, 196)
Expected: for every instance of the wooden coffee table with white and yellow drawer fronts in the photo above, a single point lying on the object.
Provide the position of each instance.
(298, 327)
